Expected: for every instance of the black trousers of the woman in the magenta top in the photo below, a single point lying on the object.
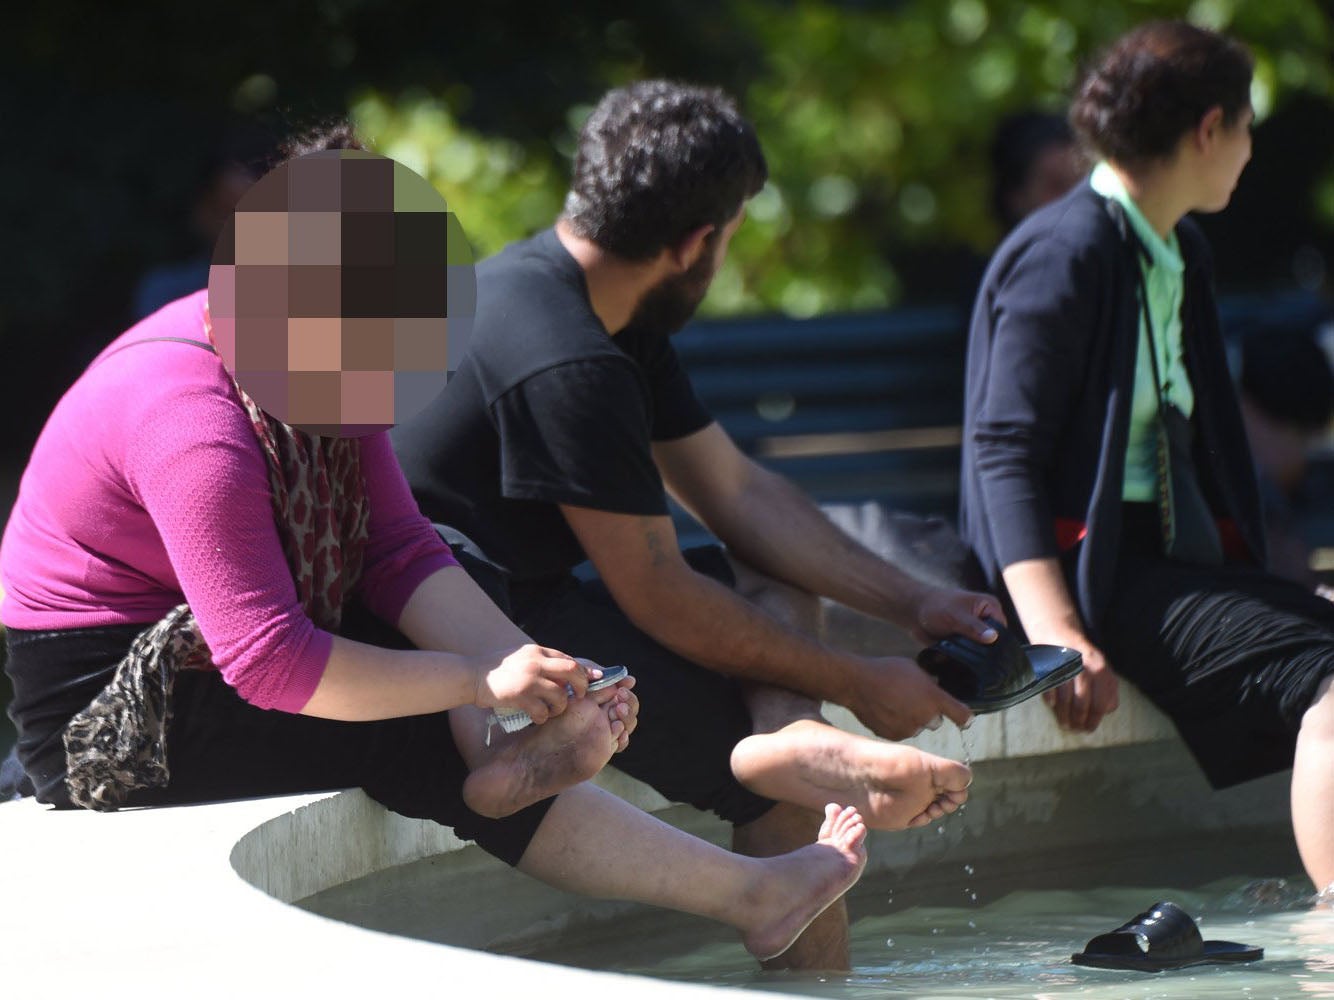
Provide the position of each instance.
(222, 747)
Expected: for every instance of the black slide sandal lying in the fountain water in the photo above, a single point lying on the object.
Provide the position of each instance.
(1161, 938)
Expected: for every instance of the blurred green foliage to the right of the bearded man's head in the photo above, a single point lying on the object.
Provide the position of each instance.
(894, 111)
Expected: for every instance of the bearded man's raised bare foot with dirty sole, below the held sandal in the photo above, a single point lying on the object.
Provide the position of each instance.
(893, 786)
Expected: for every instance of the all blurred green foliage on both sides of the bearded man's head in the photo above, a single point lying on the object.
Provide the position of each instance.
(876, 121)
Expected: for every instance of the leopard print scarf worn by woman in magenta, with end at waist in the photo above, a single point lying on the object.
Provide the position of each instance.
(119, 743)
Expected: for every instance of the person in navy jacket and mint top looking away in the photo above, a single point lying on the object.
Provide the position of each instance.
(1108, 486)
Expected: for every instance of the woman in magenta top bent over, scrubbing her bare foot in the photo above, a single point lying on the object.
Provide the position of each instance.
(162, 591)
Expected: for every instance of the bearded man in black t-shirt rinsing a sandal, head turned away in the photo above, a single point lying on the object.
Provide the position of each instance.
(558, 439)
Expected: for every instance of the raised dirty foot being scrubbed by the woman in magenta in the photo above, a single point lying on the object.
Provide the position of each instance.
(545, 761)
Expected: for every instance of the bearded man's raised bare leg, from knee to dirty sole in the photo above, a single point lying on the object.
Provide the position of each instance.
(796, 757)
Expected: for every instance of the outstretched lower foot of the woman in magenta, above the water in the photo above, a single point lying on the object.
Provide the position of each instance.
(792, 890)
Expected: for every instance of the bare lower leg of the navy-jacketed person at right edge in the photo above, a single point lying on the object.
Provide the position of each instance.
(1313, 789)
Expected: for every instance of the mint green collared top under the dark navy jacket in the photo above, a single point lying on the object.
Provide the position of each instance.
(1164, 281)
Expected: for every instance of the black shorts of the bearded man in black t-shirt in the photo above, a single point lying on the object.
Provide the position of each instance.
(690, 718)
